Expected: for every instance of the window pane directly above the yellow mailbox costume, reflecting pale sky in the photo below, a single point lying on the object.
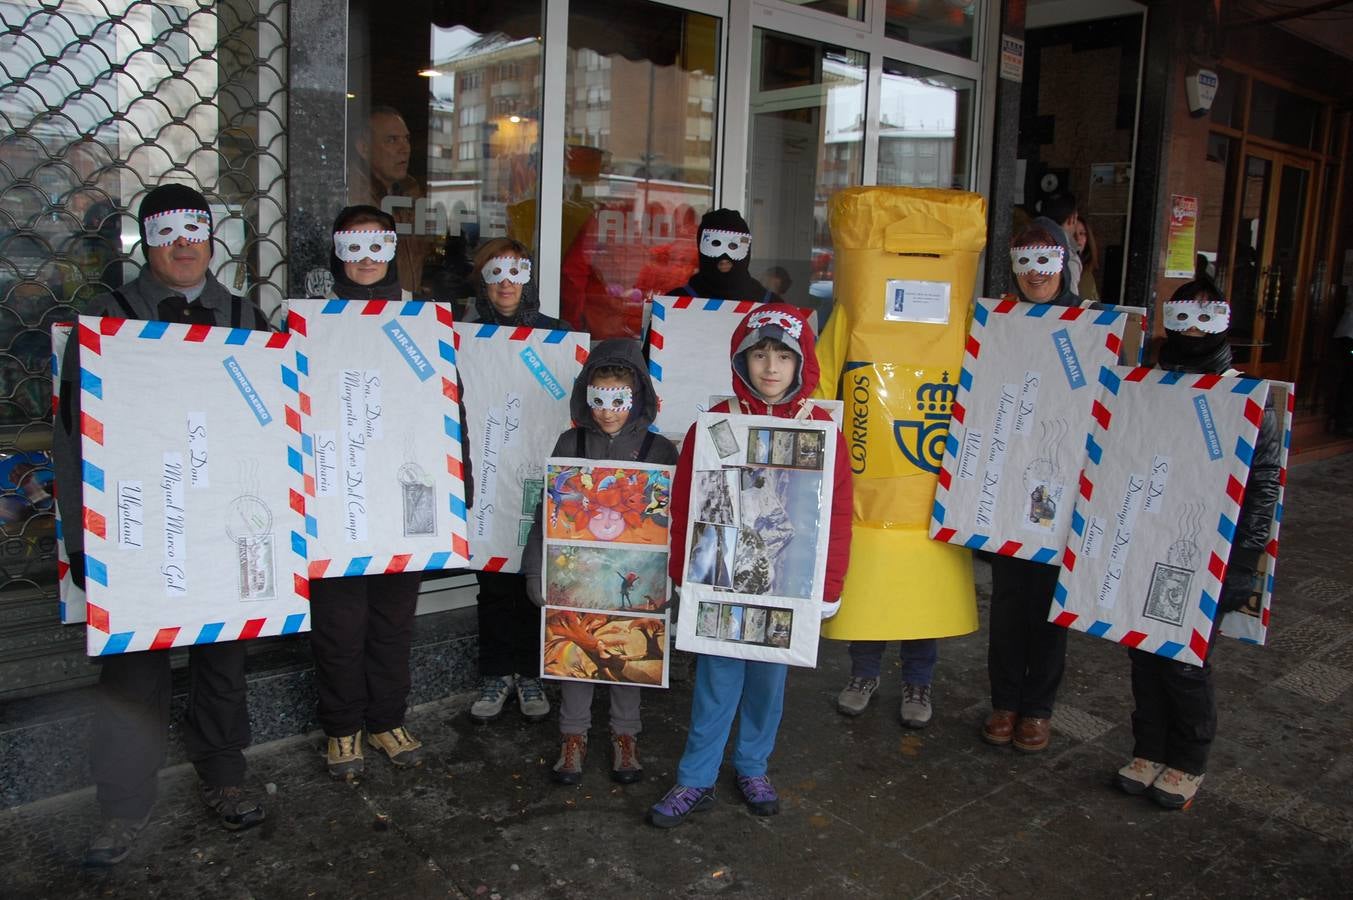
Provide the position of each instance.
(925, 128)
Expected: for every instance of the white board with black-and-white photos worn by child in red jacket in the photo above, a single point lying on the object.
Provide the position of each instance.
(757, 539)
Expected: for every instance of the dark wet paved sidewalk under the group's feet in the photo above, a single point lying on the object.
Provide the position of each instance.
(871, 809)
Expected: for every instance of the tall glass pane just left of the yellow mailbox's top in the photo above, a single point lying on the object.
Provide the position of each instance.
(807, 143)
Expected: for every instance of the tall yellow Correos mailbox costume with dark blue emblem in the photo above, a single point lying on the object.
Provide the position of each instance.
(904, 275)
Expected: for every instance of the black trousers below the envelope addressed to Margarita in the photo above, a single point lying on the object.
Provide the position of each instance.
(362, 631)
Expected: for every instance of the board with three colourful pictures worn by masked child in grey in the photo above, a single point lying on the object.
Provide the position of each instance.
(605, 530)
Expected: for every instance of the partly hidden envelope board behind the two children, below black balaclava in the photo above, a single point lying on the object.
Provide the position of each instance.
(683, 335)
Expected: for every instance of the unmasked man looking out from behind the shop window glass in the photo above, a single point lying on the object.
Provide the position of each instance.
(378, 175)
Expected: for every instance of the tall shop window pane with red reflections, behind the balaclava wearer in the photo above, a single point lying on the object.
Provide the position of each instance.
(639, 171)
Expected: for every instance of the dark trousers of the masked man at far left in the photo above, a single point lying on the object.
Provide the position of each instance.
(132, 723)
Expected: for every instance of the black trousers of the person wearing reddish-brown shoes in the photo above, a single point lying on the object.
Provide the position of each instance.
(1026, 654)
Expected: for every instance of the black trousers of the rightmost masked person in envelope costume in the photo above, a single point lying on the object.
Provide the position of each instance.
(1175, 711)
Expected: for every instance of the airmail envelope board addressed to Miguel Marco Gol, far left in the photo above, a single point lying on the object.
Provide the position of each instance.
(191, 485)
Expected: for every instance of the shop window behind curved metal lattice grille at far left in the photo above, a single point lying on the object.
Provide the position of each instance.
(105, 101)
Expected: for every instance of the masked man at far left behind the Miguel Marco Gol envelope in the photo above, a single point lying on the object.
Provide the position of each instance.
(132, 715)
